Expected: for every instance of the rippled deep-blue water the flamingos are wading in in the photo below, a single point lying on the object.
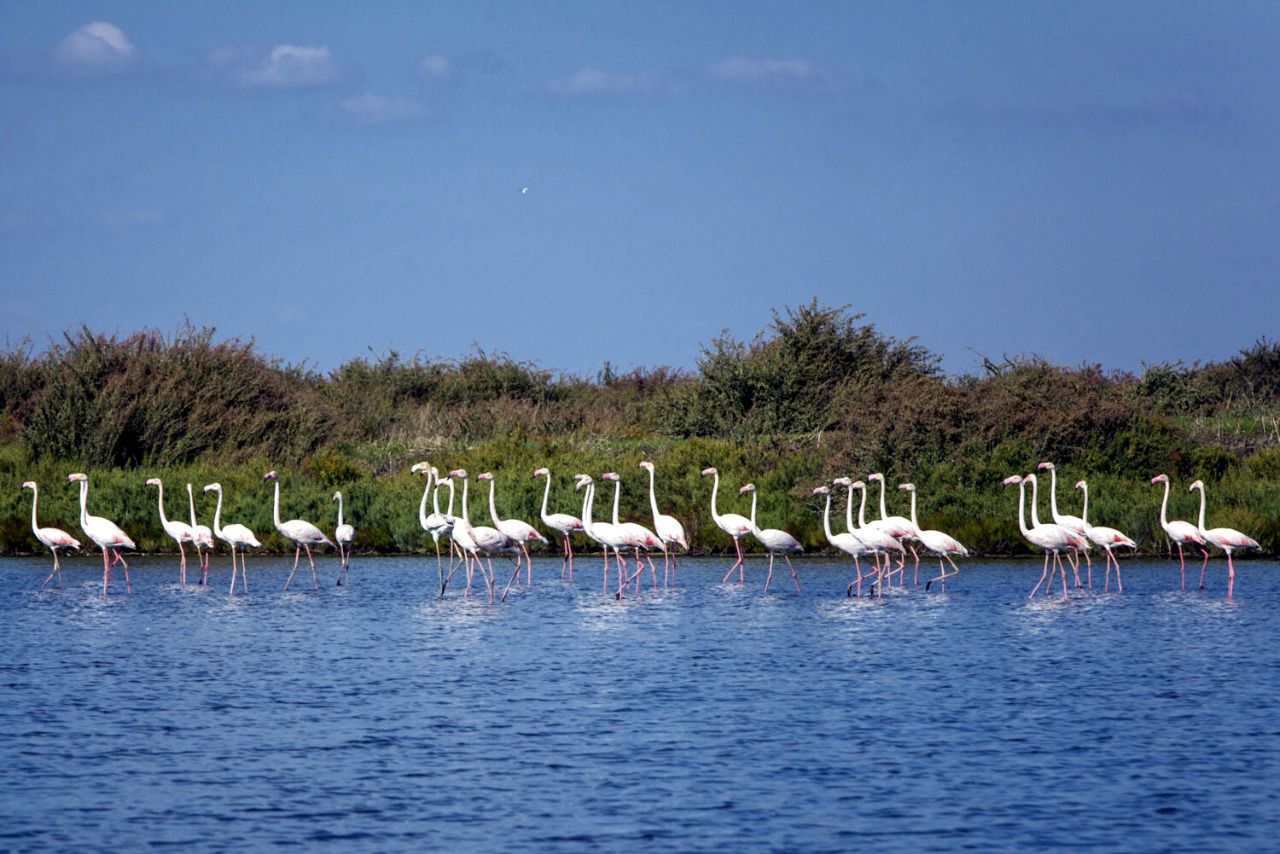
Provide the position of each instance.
(711, 718)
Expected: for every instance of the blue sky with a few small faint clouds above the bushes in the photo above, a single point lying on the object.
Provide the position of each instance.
(574, 184)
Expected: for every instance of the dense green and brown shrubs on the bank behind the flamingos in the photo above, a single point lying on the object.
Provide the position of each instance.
(820, 394)
